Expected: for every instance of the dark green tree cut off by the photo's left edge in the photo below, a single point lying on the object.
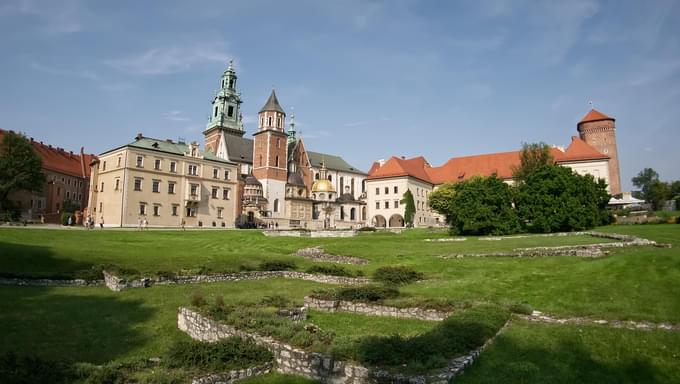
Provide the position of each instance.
(20, 167)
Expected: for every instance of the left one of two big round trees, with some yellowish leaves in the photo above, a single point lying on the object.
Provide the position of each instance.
(478, 206)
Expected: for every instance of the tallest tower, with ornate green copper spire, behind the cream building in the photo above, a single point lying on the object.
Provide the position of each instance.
(225, 114)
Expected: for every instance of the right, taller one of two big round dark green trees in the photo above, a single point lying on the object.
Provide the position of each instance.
(555, 198)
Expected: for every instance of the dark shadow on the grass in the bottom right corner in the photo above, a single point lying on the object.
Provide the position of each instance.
(567, 362)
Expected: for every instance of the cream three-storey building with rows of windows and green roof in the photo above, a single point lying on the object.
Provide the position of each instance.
(165, 184)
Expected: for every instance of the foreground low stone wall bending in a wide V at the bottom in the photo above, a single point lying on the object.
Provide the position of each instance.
(316, 366)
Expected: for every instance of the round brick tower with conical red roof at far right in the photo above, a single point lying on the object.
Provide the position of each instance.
(599, 131)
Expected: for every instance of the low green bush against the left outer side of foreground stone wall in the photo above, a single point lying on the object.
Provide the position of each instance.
(224, 355)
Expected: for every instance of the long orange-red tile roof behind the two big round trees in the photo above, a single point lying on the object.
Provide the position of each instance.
(463, 168)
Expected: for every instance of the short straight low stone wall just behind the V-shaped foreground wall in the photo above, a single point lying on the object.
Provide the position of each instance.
(375, 310)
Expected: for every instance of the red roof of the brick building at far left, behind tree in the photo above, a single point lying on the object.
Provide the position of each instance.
(61, 161)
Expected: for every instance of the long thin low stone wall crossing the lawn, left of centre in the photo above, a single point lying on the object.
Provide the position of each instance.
(117, 283)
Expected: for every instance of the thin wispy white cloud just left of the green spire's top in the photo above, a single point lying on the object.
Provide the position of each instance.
(162, 61)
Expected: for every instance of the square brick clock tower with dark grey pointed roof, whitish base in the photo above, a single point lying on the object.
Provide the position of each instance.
(270, 154)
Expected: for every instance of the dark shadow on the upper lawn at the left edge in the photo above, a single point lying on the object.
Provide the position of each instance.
(33, 261)
